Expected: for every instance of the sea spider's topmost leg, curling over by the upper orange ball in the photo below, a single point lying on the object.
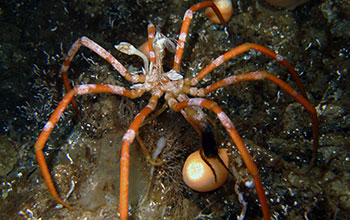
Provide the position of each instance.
(185, 26)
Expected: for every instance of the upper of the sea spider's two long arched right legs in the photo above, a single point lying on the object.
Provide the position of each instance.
(239, 50)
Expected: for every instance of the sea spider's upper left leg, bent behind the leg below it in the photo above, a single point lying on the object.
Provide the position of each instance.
(84, 41)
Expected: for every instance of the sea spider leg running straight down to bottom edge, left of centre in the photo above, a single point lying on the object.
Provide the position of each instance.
(128, 138)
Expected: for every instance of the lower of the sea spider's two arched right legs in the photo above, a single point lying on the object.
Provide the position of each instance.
(261, 75)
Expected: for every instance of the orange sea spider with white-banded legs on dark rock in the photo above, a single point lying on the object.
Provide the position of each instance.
(176, 91)
